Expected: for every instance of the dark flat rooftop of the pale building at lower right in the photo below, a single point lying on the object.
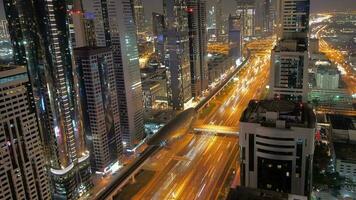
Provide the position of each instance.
(267, 112)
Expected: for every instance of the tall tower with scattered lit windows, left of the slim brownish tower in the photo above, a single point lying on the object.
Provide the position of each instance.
(177, 53)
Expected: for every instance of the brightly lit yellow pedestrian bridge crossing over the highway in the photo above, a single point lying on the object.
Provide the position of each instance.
(217, 129)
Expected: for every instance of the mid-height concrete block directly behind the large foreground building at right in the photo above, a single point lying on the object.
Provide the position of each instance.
(289, 71)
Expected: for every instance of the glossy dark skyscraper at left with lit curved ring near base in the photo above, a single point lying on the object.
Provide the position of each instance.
(35, 28)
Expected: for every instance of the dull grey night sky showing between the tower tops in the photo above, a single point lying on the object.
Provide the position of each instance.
(316, 6)
